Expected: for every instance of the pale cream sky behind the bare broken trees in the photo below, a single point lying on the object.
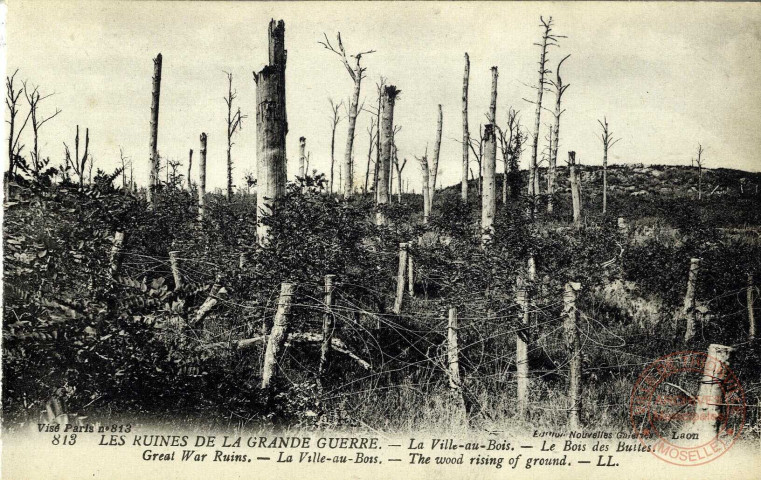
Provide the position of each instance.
(666, 75)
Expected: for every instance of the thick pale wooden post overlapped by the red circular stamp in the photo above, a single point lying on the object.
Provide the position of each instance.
(711, 392)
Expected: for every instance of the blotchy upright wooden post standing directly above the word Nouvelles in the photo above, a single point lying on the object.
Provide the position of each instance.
(573, 346)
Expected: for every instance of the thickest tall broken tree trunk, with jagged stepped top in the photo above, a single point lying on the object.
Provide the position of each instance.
(271, 129)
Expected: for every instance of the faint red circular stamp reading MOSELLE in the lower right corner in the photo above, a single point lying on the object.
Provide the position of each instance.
(688, 408)
